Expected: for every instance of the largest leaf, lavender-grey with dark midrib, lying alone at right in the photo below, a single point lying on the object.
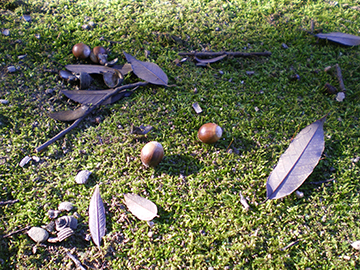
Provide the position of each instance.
(298, 161)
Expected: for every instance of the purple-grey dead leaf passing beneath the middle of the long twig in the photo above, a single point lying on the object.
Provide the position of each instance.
(89, 97)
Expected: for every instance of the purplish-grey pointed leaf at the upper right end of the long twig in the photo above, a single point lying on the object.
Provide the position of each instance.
(147, 71)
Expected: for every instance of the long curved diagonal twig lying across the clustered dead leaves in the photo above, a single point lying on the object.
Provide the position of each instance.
(89, 110)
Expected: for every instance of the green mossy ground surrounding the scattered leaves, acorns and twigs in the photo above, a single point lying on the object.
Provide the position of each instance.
(201, 223)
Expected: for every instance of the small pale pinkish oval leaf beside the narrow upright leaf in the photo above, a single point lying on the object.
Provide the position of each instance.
(140, 207)
